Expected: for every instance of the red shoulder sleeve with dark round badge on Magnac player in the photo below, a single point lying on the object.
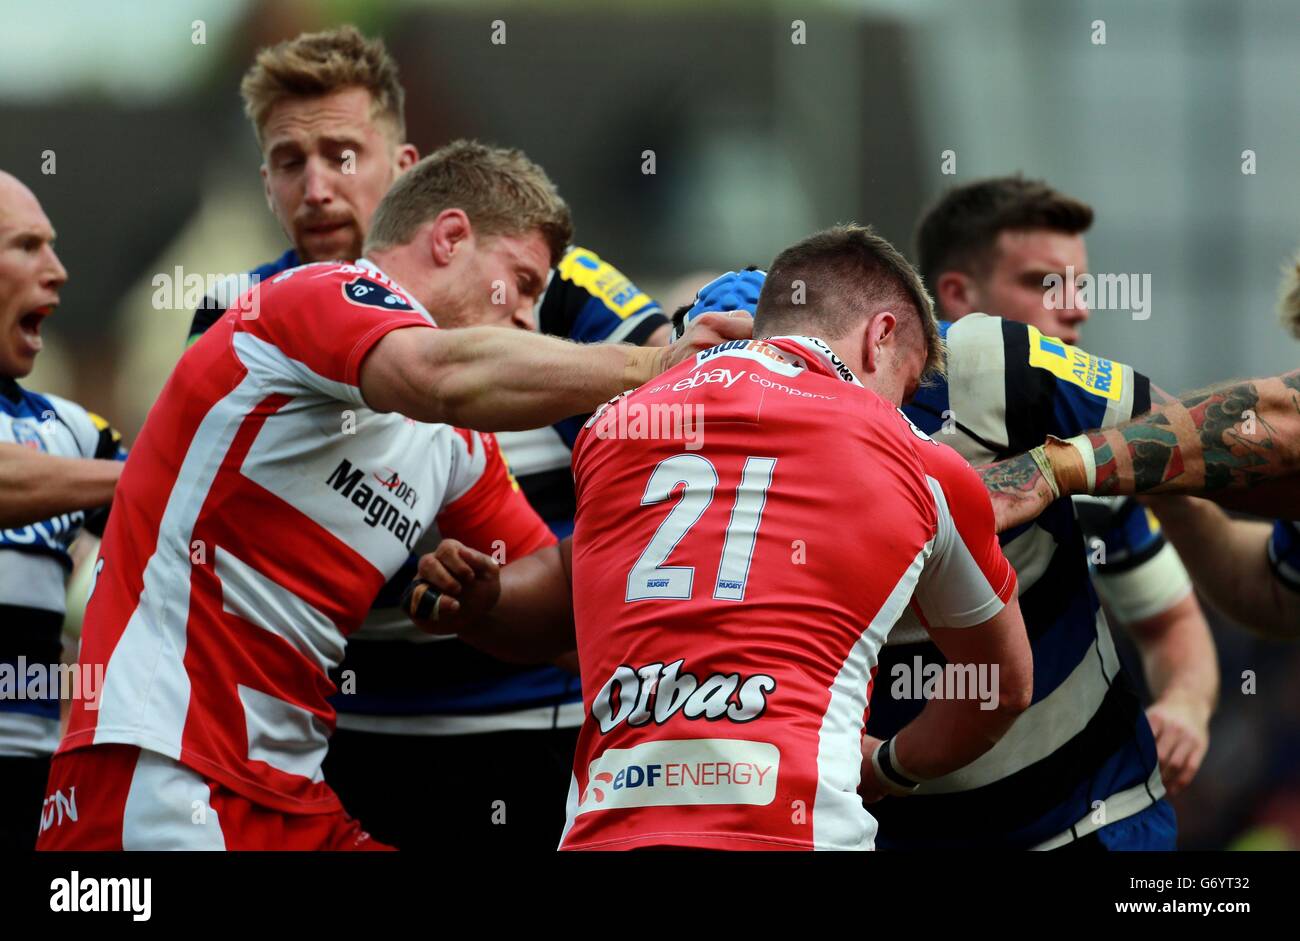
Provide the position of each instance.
(320, 322)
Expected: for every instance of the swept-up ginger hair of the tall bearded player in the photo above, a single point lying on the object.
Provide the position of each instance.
(319, 64)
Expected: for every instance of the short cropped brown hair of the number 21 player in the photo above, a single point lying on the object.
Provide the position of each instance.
(827, 283)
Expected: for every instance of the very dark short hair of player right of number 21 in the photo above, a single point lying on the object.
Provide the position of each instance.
(960, 232)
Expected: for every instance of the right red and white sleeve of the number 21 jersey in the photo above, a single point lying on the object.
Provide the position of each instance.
(967, 579)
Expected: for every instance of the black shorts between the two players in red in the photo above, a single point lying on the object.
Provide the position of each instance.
(496, 791)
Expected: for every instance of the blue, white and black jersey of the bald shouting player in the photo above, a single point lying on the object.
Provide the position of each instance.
(34, 569)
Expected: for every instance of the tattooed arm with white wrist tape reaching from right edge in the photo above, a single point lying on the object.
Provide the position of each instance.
(1238, 443)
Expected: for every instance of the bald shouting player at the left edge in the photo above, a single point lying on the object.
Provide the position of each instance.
(59, 466)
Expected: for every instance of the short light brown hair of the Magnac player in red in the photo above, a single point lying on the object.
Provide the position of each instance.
(501, 190)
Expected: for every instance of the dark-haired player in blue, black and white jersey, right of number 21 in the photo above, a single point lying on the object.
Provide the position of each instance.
(1086, 766)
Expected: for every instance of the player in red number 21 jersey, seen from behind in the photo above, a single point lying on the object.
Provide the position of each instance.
(730, 608)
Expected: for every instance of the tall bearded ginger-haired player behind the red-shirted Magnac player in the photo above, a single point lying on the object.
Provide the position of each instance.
(489, 743)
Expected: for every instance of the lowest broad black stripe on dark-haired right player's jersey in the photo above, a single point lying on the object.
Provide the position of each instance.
(1021, 799)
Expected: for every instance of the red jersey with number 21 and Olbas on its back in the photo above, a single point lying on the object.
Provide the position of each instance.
(749, 528)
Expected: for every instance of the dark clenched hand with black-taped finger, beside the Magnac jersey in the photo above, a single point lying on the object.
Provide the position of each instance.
(457, 586)
